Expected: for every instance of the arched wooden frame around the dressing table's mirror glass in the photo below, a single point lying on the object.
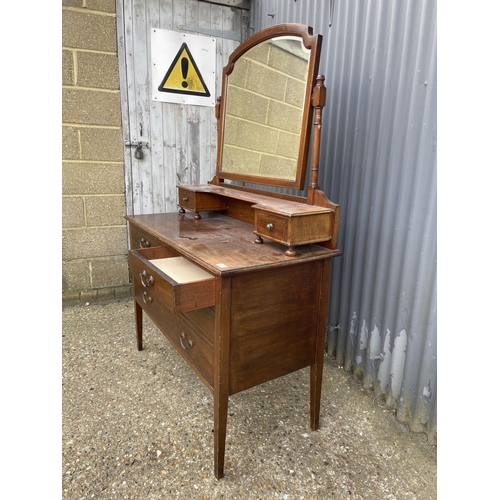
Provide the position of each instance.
(311, 42)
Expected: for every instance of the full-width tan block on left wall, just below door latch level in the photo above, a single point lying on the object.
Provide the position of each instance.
(92, 178)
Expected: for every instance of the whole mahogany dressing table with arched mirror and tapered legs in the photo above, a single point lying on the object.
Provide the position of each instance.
(238, 280)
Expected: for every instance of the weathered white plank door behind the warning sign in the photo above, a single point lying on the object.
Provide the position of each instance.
(180, 138)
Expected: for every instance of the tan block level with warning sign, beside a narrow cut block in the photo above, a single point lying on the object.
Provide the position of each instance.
(97, 70)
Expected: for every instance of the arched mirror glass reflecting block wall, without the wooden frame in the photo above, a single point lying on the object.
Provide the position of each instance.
(265, 101)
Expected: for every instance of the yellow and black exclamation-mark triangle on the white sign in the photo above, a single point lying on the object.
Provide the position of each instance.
(183, 76)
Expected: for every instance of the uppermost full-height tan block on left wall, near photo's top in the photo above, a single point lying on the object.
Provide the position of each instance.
(82, 30)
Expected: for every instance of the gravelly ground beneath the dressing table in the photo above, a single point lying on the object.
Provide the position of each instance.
(138, 425)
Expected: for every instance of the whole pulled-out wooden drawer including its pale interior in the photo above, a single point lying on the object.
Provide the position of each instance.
(163, 278)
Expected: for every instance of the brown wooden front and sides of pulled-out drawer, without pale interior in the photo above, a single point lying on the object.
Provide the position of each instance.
(154, 286)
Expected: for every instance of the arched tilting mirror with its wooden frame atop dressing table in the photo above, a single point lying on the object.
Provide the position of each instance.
(265, 107)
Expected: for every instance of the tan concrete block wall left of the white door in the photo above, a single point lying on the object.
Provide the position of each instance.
(94, 238)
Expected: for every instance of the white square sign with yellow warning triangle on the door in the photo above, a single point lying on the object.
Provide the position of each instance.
(183, 68)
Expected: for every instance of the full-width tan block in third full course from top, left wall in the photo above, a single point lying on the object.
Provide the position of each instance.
(91, 107)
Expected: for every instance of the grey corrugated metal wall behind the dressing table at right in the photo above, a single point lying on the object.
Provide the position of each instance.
(378, 160)
